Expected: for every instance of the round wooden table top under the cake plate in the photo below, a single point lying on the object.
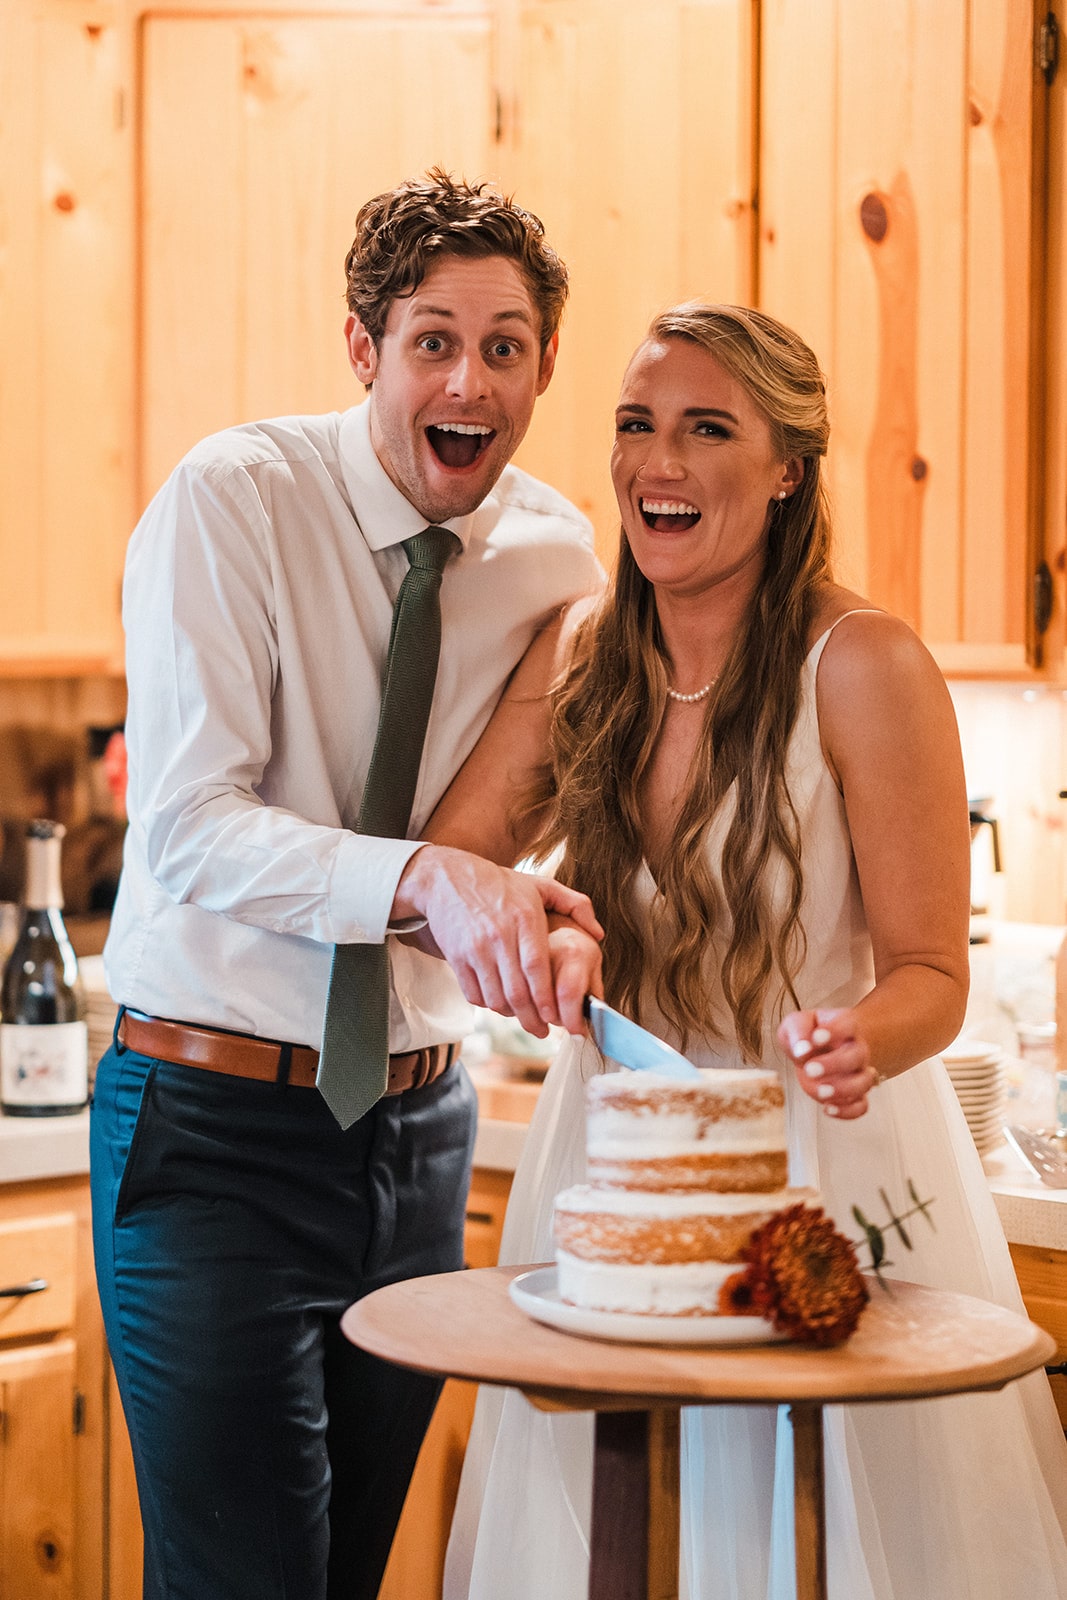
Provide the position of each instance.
(911, 1343)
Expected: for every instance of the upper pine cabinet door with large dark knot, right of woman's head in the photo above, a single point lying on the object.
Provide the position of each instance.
(901, 236)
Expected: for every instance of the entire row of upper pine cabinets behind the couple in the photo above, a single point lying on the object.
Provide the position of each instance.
(182, 185)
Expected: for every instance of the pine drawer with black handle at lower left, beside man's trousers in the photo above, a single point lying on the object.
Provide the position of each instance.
(38, 1249)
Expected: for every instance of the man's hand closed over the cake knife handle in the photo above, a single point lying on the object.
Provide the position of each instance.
(492, 927)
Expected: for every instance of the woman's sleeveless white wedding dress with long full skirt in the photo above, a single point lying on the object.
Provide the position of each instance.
(962, 1498)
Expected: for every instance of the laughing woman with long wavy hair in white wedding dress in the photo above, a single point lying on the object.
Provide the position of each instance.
(756, 777)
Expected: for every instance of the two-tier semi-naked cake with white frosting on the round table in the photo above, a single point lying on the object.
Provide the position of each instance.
(681, 1175)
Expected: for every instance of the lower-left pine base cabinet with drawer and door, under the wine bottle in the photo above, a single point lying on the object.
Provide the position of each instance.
(54, 1398)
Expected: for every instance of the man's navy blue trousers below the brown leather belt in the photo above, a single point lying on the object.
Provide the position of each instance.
(233, 1225)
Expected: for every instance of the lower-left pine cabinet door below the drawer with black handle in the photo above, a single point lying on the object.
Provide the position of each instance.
(38, 1473)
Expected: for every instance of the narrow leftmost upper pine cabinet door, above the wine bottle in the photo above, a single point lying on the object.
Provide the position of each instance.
(65, 297)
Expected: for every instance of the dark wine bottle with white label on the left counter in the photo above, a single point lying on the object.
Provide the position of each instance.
(44, 1034)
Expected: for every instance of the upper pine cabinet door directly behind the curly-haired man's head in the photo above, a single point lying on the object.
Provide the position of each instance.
(262, 138)
